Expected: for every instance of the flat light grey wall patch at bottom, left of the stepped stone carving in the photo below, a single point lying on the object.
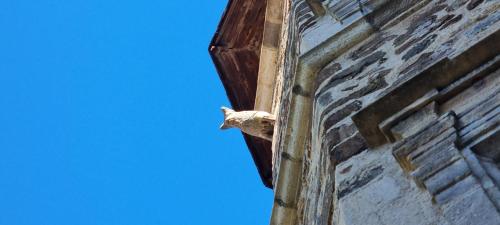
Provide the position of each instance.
(372, 189)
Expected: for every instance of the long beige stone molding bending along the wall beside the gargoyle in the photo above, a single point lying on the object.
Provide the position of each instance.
(293, 130)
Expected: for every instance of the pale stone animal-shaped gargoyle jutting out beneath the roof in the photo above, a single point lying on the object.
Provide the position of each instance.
(255, 123)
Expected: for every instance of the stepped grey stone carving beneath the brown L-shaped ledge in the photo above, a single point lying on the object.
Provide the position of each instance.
(432, 159)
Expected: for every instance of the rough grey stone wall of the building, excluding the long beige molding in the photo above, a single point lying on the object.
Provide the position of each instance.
(404, 125)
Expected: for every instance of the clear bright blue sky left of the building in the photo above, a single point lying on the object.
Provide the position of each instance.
(109, 114)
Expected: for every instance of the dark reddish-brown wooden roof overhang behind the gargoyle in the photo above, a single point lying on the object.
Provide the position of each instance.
(235, 51)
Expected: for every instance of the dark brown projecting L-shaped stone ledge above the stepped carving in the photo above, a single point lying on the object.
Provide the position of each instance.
(416, 86)
